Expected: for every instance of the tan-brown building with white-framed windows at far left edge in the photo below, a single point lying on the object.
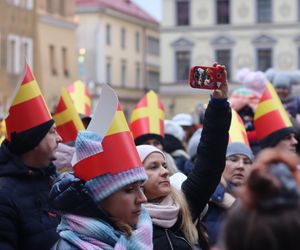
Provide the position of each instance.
(17, 34)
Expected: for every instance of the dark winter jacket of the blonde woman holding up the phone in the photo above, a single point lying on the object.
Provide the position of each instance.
(204, 177)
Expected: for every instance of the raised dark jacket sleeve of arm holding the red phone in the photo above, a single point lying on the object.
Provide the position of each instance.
(211, 156)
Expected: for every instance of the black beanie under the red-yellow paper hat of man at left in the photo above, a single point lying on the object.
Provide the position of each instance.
(27, 140)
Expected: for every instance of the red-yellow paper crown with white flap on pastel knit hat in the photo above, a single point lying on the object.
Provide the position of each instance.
(117, 140)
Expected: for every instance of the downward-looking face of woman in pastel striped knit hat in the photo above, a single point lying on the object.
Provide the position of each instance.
(125, 204)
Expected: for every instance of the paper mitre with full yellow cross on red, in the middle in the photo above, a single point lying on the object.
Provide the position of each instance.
(148, 116)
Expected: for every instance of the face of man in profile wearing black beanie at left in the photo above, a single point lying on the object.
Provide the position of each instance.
(46, 149)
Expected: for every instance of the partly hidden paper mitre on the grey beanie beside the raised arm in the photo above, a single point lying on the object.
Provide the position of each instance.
(237, 131)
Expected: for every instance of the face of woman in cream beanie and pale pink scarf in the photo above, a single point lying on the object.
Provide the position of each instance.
(158, 183)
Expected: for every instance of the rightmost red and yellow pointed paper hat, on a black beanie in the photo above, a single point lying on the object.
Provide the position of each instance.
(270, 117)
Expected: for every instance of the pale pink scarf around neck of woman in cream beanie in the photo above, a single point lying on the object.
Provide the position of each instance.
(165, 213)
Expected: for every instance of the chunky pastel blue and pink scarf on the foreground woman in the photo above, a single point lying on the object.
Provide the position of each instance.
(94, 234)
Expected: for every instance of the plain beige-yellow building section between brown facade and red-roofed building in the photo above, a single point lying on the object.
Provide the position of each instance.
(56, 52)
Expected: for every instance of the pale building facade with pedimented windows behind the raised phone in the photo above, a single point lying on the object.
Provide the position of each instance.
(258, 34)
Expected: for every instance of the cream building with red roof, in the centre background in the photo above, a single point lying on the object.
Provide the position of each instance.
(118, 44)
